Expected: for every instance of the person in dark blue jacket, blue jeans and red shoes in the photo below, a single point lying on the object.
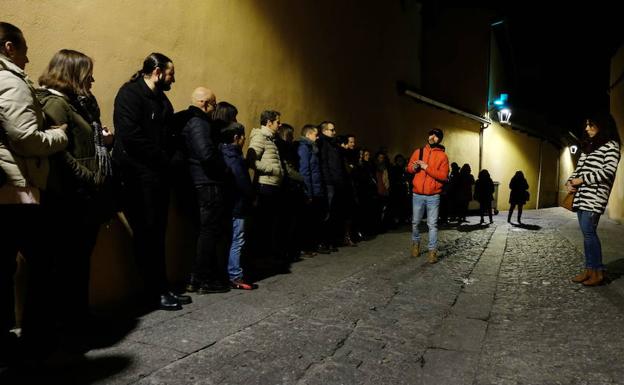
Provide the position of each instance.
(240, 193)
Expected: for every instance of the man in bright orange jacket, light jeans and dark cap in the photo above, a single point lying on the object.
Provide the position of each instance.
(429, 165)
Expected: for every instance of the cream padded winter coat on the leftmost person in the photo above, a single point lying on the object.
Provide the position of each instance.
(24, 145)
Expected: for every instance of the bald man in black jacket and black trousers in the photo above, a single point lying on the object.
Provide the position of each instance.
(207, 169)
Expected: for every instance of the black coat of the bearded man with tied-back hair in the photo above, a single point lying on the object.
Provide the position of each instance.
(143, 120)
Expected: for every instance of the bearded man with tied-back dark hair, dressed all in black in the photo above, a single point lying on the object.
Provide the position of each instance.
(142, 118)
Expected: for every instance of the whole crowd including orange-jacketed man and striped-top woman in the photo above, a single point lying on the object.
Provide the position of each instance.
(62, 174)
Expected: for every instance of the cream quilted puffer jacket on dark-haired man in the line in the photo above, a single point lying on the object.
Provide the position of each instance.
(264, 157)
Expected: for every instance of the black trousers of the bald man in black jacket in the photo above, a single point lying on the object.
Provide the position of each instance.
(214, 234)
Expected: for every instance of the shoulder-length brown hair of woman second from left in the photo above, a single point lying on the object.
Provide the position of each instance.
(69, 72)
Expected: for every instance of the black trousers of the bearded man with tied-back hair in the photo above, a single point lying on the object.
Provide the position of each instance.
(145, 202)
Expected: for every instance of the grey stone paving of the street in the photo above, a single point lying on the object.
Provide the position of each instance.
(497, 309)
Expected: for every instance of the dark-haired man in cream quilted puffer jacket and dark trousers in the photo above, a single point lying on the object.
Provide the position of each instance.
(264, 159)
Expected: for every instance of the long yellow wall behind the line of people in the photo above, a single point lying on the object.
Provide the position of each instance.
(311, 60)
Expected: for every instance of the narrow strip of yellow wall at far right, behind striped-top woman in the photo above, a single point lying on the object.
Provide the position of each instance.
(615, 209)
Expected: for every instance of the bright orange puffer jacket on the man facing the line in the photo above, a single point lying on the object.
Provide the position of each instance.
(431, 180)
